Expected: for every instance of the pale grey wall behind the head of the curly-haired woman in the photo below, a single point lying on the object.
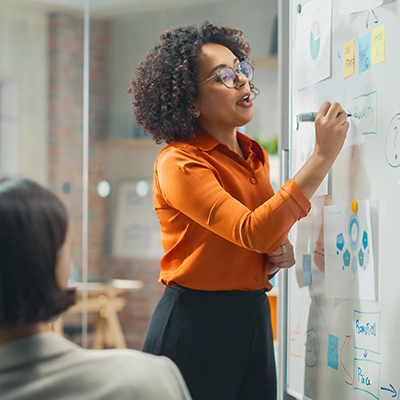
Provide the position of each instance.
(134, 35)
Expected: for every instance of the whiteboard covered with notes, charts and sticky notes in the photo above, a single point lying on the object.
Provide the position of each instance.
(348, 347)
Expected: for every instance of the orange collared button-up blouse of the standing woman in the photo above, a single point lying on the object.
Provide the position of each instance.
(219, 214)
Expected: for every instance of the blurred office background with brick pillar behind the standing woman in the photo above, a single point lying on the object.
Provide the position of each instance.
(67, 122)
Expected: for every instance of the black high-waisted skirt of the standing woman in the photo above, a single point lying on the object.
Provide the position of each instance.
(221, 341)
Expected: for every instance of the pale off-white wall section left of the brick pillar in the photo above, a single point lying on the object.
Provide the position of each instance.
(24, 65)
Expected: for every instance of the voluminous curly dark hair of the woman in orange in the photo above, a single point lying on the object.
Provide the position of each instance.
(165, 82)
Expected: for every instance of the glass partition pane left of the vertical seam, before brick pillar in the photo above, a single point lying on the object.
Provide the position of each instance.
(41, 105)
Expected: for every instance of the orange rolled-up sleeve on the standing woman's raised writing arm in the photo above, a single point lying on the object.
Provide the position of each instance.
(194, 187)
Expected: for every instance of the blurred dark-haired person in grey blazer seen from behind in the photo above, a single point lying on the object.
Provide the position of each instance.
(36, 363)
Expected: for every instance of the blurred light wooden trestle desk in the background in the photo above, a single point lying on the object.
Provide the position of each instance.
(103, 299)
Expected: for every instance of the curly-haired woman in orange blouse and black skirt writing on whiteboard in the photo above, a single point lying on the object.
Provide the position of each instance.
(223, 228)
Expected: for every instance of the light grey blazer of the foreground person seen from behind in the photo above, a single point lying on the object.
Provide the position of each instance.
(47, 366)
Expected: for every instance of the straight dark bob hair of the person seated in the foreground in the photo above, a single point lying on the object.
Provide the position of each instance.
(33, 227)
